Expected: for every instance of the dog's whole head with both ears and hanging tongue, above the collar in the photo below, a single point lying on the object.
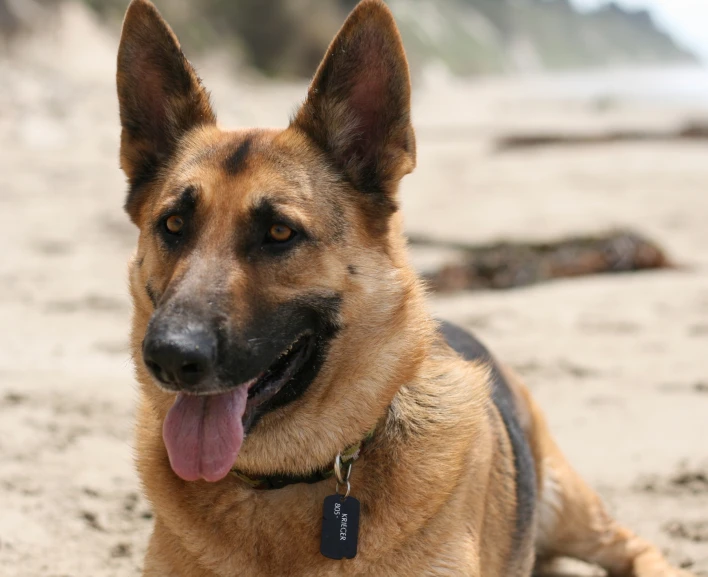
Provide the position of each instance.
(271, 291)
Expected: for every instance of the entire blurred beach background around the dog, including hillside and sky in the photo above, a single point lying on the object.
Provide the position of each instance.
(558, 210)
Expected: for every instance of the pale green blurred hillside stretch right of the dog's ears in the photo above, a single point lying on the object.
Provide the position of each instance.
(472, 36)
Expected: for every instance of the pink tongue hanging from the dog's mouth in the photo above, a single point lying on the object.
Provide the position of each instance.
(203, 435)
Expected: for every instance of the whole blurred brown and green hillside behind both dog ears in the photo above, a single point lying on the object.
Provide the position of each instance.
(286, 38)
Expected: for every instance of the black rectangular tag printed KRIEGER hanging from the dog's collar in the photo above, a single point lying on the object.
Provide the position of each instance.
(340, 527)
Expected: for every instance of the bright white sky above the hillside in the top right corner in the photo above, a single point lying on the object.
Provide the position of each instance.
(686, 20)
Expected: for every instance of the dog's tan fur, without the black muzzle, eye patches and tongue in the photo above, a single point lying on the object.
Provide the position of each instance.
(437, 482)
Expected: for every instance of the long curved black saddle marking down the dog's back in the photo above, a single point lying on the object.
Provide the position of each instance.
(471, 349)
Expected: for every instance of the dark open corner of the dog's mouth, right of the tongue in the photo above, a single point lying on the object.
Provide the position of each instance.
(282, 371)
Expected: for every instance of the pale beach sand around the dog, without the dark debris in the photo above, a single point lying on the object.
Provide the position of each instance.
(618, 362)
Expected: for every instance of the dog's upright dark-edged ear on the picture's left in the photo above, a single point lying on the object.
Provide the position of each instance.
(160, 95)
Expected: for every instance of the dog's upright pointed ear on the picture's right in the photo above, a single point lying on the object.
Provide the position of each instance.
(358, 105)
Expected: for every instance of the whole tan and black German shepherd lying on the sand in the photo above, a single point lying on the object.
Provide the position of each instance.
(280, 333)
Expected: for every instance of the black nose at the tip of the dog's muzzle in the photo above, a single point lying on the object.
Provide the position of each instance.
(183, 358)
